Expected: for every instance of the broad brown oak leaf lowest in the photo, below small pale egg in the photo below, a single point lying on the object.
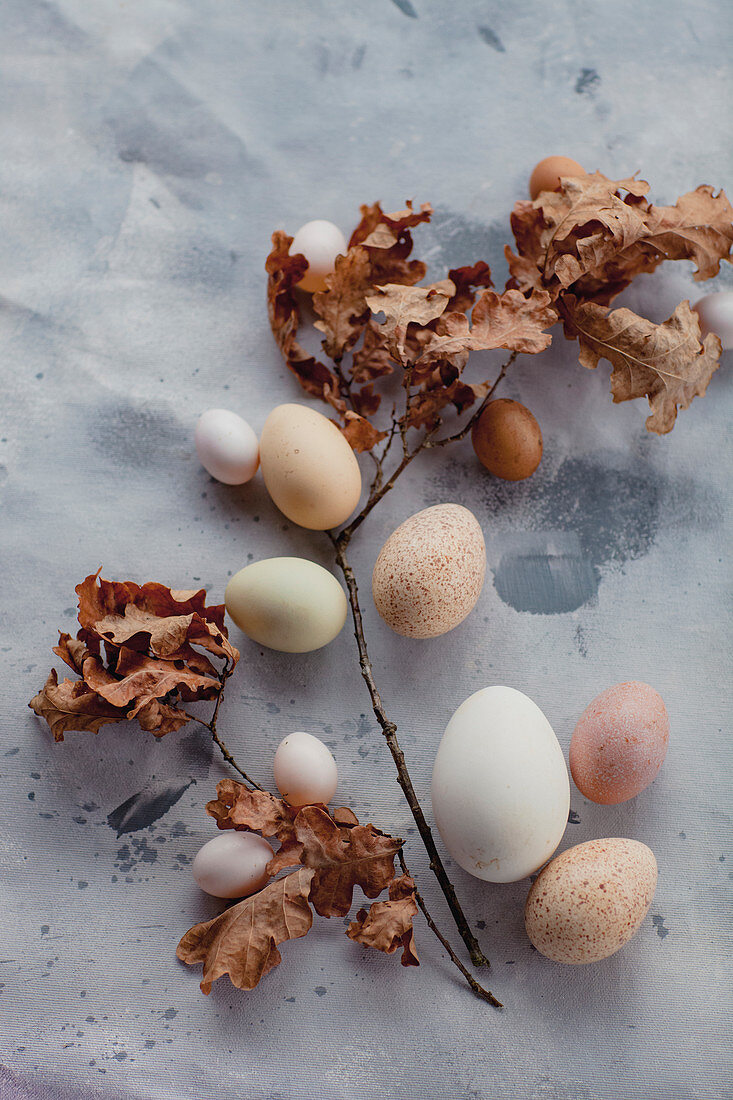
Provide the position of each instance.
(243, 942)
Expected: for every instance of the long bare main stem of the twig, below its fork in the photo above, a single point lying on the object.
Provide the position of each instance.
(390, 732)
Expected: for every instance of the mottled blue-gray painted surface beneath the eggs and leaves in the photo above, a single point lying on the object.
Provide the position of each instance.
(149, 149)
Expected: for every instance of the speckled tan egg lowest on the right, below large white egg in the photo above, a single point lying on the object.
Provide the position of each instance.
(590, 900)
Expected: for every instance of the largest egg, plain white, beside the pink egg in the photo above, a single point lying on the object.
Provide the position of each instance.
(501, 793)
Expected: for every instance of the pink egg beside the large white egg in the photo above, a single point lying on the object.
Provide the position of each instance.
(620, 743)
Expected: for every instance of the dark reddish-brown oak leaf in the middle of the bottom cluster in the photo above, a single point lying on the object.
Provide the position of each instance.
(344, 859)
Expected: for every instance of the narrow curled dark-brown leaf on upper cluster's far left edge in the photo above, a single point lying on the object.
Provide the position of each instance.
(285, 272)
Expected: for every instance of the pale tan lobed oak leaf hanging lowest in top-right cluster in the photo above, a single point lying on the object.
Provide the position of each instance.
(666, 364)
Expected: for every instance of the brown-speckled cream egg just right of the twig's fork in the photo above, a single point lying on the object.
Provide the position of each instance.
(430, 573)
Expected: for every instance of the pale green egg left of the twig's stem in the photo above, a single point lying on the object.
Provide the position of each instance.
(290, 604)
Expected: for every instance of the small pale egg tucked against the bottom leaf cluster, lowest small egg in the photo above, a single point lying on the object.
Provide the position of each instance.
(233, 865)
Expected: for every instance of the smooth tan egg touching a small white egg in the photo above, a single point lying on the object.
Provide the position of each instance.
(310, 470)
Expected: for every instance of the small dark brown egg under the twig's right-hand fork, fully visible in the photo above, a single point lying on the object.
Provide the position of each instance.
(508, 441)
